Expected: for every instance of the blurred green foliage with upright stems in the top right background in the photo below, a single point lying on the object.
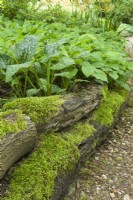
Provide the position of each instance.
(107, 14)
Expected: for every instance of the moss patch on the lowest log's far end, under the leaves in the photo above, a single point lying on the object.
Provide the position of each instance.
(109, 107)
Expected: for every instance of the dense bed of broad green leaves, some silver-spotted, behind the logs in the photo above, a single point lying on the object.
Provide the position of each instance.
(42, 59)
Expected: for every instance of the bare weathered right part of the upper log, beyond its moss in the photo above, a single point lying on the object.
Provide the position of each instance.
(75, 107)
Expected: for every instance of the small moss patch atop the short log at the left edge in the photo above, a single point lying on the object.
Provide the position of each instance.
(11, 121)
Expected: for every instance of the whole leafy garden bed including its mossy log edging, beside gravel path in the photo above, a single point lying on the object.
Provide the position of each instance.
(63, 86)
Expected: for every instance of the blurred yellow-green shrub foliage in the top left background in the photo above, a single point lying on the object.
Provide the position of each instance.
(33, 10)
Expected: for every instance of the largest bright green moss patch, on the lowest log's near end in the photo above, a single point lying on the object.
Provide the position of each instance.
(57, 155)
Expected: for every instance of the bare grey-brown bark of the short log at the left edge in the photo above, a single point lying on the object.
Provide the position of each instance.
(15, 145)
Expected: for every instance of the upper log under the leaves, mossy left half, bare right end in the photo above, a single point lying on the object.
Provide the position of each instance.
(57, 112)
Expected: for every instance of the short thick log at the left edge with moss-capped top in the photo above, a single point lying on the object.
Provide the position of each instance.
(17, 139)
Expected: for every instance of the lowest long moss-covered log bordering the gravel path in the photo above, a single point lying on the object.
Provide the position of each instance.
(50, 167)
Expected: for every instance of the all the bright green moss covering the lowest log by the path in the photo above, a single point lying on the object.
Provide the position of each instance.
(58, 153)
